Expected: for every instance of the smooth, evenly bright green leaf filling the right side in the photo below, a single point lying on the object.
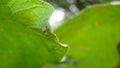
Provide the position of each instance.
(93, 36)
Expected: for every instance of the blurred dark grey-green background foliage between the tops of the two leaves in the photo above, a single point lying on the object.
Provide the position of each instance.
(74, 6)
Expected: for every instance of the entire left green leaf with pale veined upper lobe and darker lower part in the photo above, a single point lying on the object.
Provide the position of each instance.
(23, 44)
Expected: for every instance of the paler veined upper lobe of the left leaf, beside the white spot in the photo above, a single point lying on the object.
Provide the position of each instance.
(33, 13)
